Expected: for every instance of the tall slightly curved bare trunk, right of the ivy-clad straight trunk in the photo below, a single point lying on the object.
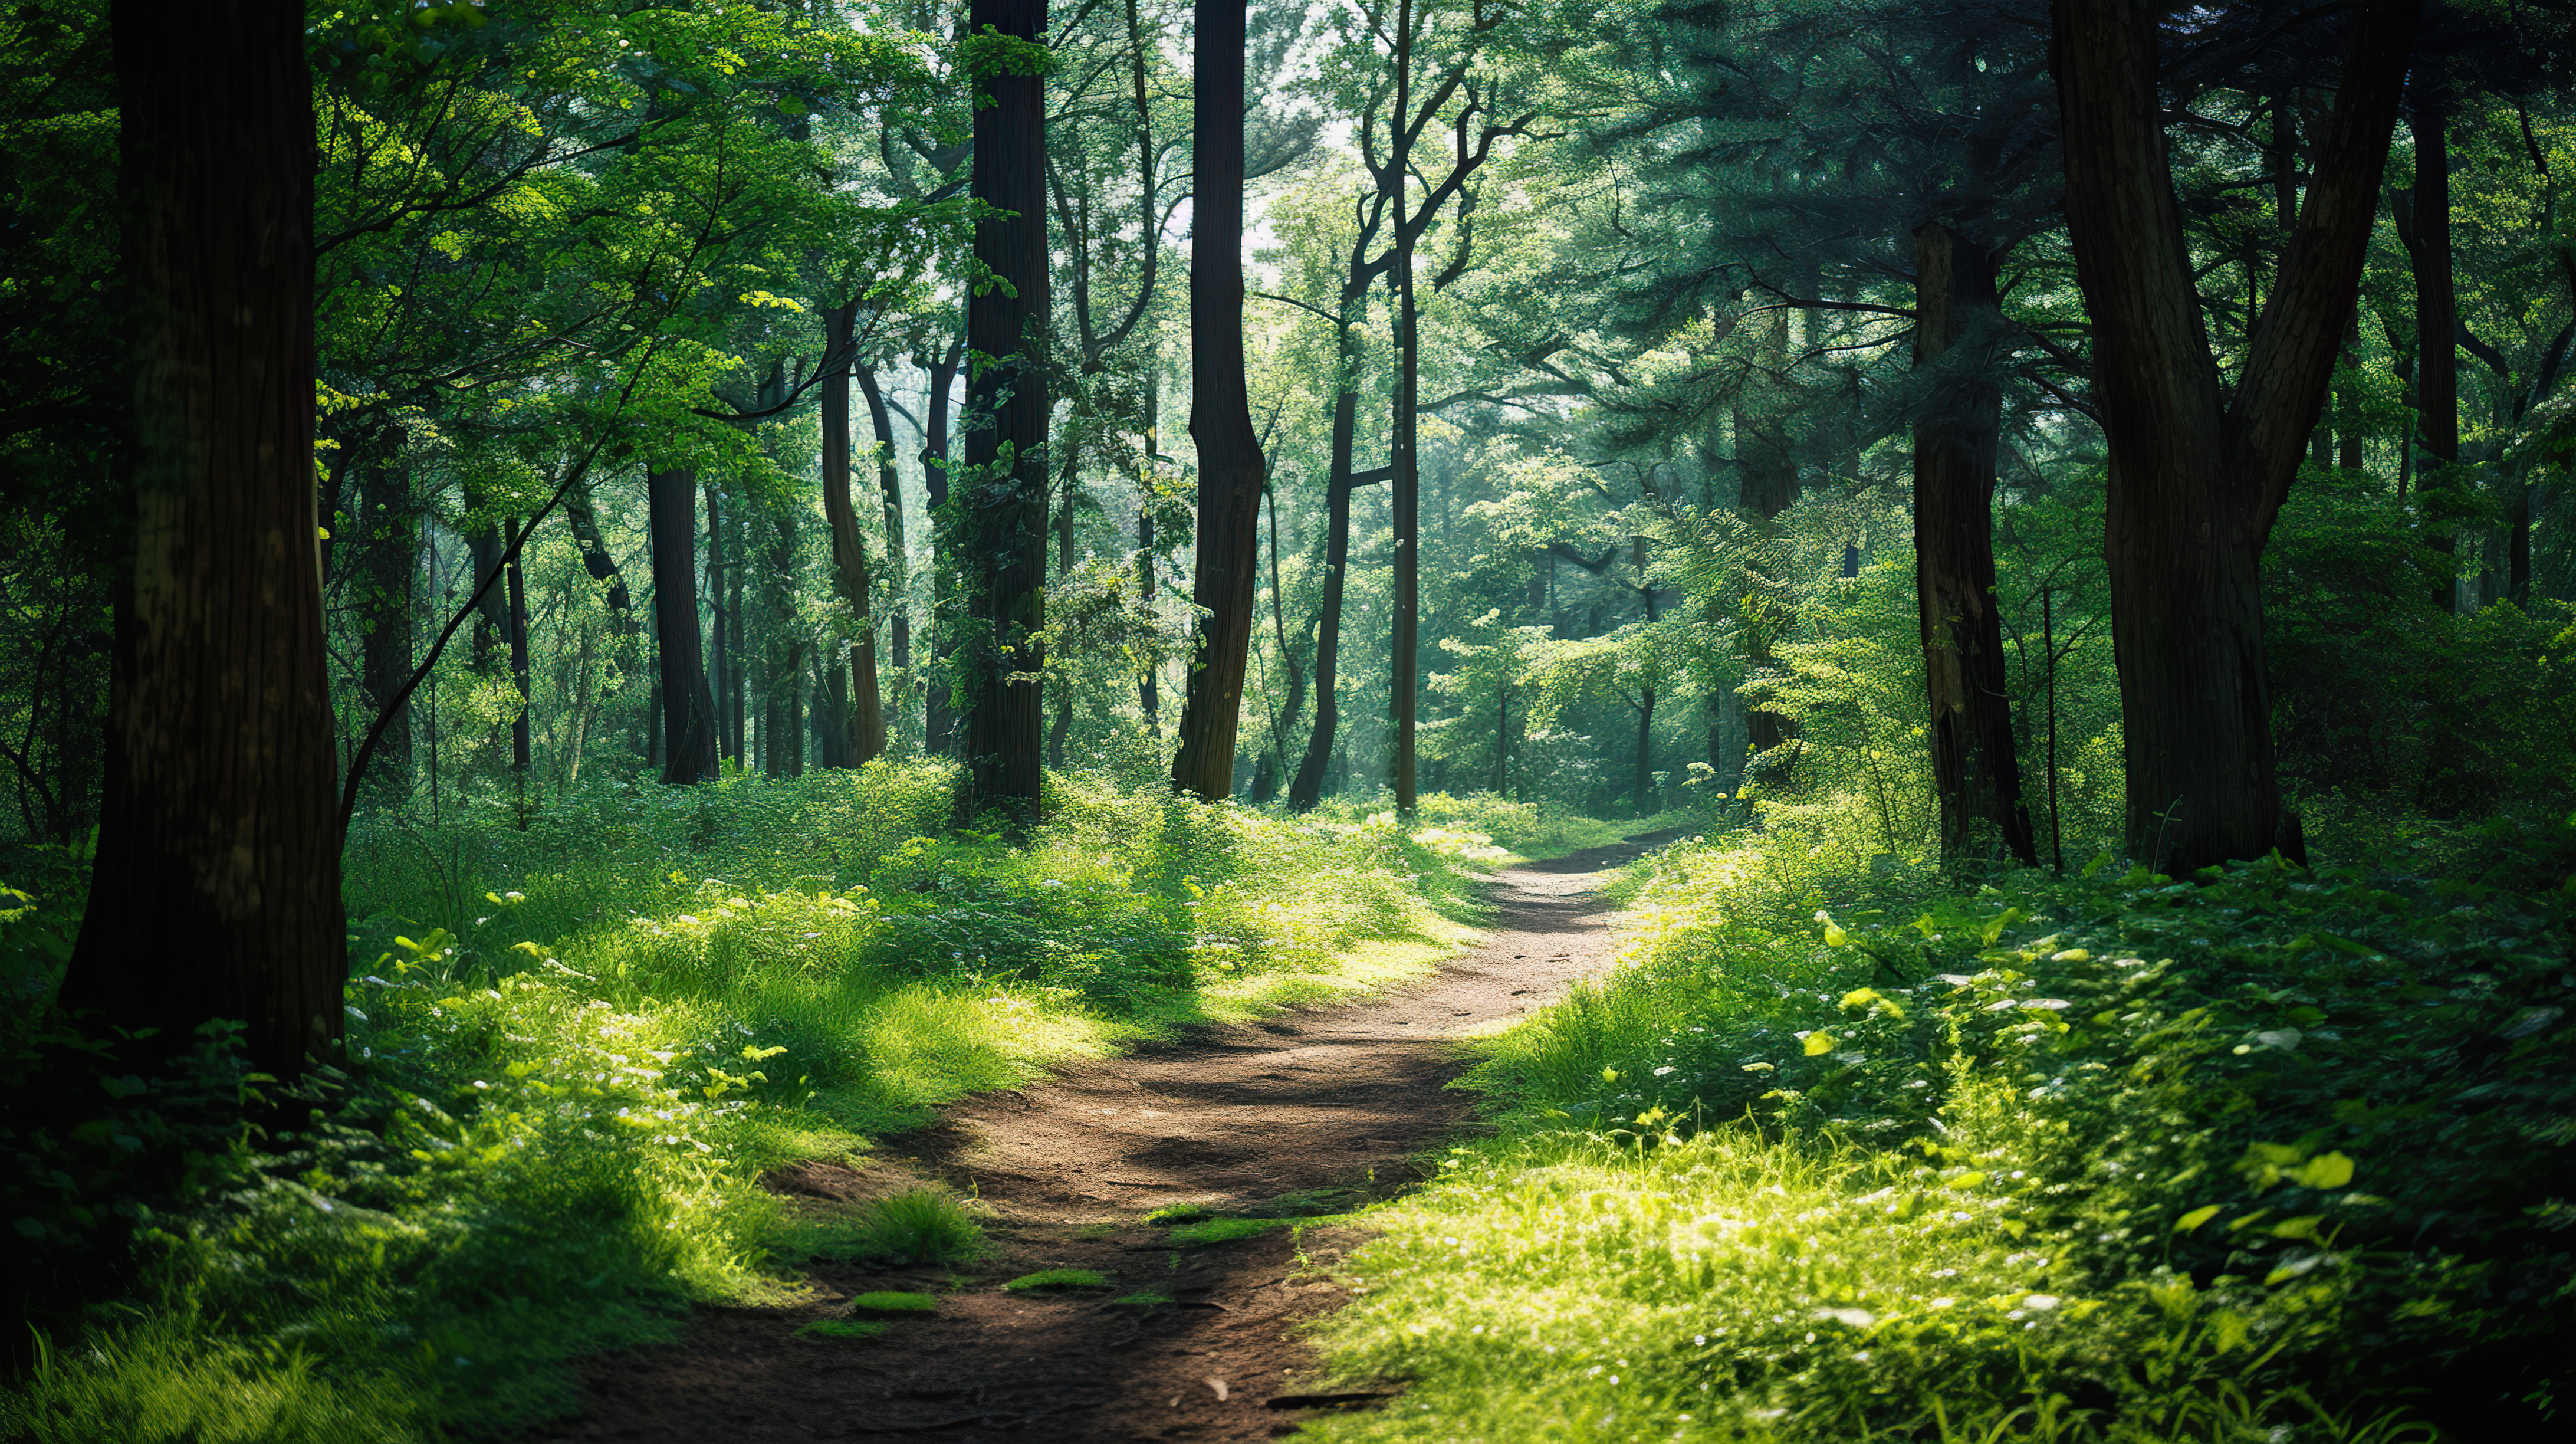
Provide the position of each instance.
(1230, 455)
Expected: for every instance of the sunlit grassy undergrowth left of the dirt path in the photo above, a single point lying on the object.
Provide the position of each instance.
(578, 1048)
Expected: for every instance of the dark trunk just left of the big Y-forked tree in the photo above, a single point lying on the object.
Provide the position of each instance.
(1975, 770)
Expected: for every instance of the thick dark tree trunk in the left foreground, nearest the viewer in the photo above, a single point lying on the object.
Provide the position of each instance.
(218, 881)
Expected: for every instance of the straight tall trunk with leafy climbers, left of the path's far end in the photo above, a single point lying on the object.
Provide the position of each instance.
(1006, 442)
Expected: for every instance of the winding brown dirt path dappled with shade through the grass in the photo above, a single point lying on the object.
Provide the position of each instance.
(1305, 1113)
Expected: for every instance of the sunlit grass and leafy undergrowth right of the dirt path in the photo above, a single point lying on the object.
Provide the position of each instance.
(2263, 1156)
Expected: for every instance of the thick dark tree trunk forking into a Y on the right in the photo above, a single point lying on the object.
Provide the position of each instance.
(2199, 478)
